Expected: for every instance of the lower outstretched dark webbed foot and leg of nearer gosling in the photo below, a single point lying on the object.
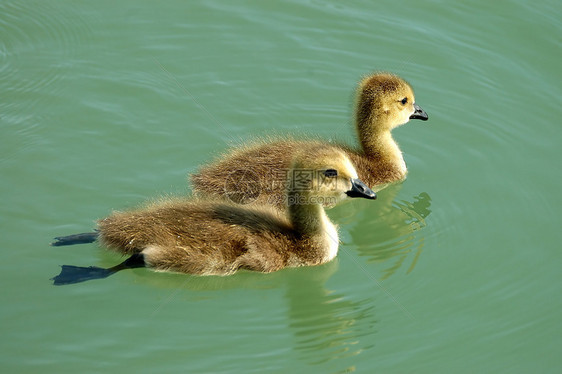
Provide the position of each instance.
(76, 274)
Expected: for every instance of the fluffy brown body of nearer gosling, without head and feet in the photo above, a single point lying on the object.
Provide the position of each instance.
(206, 238)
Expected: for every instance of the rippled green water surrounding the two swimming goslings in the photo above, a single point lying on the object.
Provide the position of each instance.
(106, 104)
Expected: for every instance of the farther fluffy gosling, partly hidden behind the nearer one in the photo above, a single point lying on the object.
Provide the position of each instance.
(384, 102)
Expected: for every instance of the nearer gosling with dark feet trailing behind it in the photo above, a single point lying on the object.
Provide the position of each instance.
(218, 238)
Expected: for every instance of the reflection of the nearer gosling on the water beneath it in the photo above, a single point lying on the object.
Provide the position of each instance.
(327, 326)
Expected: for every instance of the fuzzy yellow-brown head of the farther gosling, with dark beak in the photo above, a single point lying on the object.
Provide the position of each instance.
(385, 101)
